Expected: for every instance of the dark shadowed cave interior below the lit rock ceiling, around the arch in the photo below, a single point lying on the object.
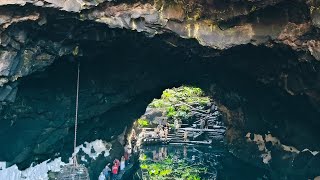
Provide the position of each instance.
(122, 72)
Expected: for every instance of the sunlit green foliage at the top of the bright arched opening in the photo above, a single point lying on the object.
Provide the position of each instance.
(178, 102)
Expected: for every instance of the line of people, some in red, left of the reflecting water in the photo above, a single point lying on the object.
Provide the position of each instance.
(118, 166)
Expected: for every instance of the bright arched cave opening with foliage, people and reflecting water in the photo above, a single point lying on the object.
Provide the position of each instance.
(181, 136)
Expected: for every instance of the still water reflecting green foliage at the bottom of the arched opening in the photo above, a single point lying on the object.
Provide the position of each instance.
(193, 163)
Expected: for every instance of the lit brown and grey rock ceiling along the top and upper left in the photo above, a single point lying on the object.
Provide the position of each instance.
(220, 25)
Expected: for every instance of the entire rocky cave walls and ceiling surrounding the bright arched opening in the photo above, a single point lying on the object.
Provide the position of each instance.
(266, 88)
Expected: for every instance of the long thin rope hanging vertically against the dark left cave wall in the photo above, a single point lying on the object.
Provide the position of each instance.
(75, 163)
